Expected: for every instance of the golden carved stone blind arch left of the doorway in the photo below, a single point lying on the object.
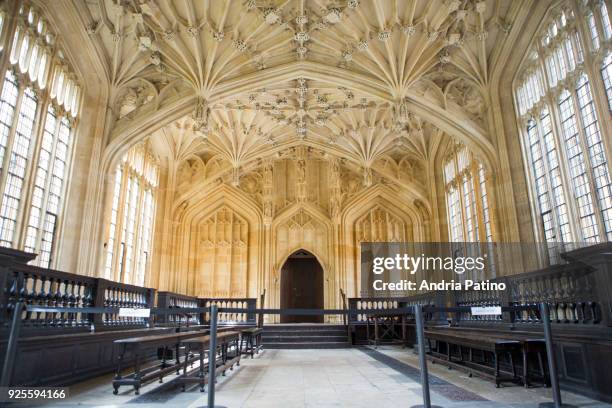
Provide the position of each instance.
(223, 228)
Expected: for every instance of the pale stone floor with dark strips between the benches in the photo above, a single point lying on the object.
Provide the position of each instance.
(356, 377)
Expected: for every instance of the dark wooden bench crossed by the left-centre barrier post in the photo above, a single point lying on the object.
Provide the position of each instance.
(200, 345)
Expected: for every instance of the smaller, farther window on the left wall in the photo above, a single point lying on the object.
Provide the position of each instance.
(132, 212)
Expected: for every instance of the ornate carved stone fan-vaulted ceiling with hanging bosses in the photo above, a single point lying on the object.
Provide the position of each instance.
(375, 82)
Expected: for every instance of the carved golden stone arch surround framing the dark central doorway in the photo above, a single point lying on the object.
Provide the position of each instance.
(301, 226)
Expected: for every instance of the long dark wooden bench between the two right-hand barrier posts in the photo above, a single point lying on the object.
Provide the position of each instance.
(474, 341)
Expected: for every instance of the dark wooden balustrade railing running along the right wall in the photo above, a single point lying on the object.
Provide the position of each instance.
(579, 293)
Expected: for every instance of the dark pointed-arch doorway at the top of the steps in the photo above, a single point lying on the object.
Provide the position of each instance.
(301, 286)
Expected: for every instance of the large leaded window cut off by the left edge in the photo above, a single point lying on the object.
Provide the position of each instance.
(38, 109)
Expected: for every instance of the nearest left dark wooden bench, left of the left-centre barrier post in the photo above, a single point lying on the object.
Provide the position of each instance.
(137, 345)
